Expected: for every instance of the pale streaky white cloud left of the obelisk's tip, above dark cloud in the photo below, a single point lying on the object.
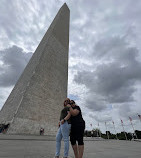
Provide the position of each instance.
(25, 23)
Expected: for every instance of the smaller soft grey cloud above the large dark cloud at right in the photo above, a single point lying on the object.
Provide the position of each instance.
(116, 48)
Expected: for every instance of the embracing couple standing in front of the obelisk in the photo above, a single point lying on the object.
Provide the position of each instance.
(71, 123)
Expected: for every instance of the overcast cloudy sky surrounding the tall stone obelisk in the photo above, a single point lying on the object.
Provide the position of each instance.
(104, 54)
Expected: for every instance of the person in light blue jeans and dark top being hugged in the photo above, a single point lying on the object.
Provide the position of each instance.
(63, 130)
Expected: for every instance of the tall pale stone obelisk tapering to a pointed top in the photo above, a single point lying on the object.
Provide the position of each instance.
(37, 98)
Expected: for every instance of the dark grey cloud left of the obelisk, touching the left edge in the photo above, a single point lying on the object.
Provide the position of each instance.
(14, 60)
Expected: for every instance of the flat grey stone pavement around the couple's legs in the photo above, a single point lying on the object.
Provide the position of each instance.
(44, 147)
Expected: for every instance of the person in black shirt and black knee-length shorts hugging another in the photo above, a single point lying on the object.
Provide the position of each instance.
(77, 129)
